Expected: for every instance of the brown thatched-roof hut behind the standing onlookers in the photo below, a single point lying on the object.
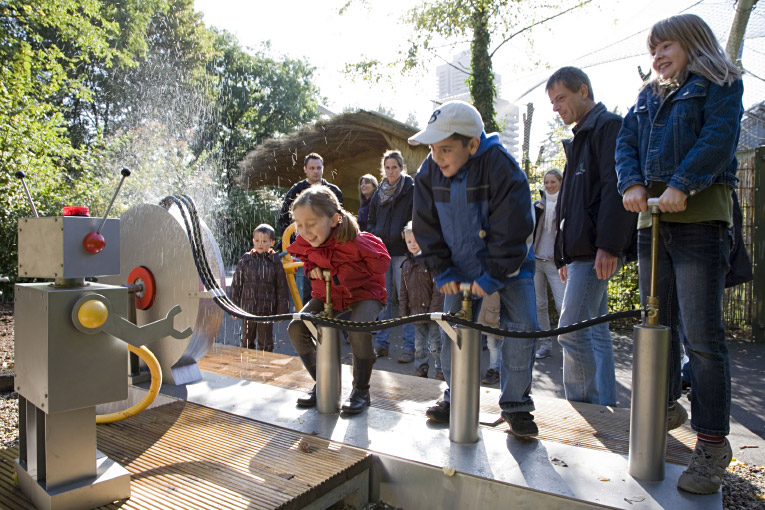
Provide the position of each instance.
(351, 145)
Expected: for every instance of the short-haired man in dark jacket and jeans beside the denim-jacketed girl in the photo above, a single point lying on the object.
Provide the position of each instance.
(594, 235)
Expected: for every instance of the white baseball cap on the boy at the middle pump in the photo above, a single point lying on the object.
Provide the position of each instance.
(449, 118)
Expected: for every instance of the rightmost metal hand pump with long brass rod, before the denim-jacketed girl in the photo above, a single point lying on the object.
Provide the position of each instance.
(650, 381)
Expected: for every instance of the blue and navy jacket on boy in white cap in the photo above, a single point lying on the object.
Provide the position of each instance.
(477, 225)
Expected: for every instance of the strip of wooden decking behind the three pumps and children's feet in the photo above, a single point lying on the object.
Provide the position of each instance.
(573, 423)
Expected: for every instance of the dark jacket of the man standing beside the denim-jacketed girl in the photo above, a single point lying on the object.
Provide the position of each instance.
(590, 214)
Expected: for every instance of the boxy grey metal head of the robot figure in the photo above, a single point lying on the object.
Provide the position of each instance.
(51, 247)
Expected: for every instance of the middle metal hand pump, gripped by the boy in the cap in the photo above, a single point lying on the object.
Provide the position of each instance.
(465, 388)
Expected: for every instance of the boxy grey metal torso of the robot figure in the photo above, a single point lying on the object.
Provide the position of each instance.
(58, 368)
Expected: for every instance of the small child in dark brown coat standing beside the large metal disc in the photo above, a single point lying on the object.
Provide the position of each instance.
(260, 288)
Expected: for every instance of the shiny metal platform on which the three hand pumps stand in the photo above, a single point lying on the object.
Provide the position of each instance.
(557, 473)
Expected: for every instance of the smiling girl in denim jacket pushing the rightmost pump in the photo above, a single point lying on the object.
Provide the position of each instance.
(678, 143)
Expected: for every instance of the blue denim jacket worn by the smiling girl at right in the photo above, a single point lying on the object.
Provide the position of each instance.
(687, 140)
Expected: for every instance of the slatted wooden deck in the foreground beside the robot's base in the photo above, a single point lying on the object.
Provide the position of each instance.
(183, 455)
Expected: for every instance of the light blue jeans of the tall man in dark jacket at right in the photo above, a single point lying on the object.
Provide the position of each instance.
(588, 354)
